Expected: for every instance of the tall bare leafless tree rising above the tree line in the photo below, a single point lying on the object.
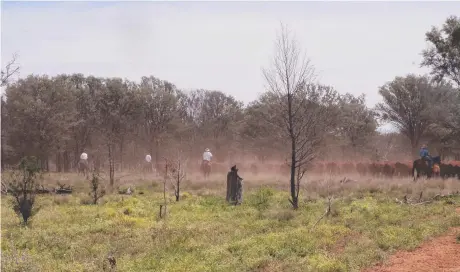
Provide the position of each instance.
(297, 106)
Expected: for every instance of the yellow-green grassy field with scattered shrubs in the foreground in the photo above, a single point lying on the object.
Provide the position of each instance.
(202, 233)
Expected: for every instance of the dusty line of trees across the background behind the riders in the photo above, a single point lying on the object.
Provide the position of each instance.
(118, 121)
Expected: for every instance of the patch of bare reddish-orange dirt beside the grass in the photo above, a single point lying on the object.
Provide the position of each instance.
(440, 254)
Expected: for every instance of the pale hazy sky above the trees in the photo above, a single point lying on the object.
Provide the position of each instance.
(355, 46)
